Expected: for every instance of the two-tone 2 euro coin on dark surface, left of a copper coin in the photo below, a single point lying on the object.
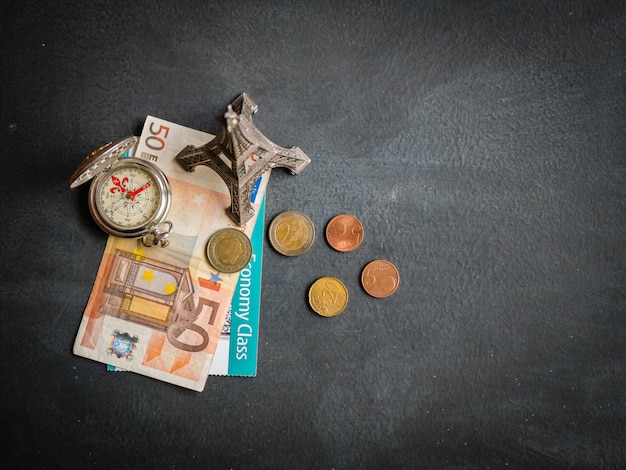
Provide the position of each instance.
(291, 233)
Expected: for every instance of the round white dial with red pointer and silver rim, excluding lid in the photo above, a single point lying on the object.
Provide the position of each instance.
(128, 198)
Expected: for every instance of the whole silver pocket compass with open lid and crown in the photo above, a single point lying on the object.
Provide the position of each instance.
(128, 197)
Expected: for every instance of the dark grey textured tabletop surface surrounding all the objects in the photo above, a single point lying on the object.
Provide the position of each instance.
(481, 143)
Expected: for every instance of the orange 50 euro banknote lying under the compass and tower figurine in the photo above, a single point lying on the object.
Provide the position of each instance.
(157, 311)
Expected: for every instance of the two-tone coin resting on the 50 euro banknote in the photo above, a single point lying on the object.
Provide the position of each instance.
(229, 250)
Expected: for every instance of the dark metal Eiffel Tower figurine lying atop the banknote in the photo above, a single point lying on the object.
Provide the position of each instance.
(240, 154)
